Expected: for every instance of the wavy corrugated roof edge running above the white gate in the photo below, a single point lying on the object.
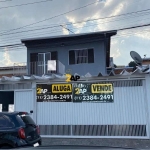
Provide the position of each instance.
(62, 78)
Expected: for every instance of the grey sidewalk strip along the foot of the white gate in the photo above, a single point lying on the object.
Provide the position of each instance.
(127, 143)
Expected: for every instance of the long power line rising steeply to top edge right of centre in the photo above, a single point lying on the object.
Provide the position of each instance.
(53, 16)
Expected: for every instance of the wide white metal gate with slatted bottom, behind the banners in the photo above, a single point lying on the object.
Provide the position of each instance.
(125, 118)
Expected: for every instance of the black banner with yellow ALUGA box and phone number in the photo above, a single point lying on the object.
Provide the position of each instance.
(54, 92)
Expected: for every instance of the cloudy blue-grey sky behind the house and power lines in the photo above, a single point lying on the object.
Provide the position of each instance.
(27, 21)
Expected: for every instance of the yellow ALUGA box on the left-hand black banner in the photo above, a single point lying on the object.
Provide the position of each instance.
(61, 88)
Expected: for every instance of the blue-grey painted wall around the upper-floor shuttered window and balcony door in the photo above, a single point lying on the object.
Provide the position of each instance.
(99, 64)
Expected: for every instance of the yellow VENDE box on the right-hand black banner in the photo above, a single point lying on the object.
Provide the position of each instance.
(101, 88)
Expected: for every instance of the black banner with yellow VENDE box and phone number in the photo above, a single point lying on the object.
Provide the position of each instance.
(93, 92)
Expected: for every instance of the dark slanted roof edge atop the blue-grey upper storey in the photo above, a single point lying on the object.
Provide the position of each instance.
(107, 33)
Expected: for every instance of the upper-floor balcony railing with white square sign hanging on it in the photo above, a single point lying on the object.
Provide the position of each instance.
(39, 68)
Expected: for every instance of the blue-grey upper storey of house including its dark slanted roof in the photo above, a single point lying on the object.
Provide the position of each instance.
(80, 53)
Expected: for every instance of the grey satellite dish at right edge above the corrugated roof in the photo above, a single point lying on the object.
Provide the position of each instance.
(138, 60)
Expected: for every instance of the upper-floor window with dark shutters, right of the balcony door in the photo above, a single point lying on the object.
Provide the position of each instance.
(81, 56)
